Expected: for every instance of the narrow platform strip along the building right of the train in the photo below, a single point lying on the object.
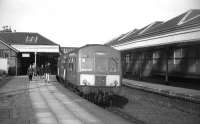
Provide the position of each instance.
(182, 93)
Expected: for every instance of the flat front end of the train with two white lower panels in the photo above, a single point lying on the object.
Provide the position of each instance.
(99, 70)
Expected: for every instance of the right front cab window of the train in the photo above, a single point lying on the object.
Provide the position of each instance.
(113, 65)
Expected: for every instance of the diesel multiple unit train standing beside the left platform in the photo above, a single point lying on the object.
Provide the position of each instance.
(91, 69)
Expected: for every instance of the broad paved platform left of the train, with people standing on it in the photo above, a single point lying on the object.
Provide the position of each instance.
(41, 102)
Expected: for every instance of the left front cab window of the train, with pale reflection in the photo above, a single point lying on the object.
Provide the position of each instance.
(86, 64)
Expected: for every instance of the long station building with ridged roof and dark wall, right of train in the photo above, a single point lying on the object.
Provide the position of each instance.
(162, 51)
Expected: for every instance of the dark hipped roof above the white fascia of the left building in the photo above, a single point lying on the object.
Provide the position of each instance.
(25, 38)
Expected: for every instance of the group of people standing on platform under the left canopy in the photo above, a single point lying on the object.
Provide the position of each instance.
(41, 72)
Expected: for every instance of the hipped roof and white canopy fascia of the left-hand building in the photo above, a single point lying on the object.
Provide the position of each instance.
(29, 42)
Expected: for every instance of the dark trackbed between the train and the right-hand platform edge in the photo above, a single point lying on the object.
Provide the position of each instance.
(141, 107)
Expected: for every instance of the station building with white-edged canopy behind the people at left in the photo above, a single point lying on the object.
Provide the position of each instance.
(19, 50)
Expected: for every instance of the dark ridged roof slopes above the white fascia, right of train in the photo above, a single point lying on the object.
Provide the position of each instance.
(184, 21)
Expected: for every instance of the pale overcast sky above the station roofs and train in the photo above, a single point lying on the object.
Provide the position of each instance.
(74, 23)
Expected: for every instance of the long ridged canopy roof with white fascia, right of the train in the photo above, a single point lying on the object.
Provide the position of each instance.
(184, 28)
